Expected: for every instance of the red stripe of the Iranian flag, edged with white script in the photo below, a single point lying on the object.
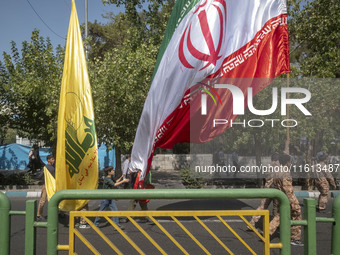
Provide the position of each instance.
(265, 56)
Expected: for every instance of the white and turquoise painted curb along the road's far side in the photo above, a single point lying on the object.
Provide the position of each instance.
(36, 194)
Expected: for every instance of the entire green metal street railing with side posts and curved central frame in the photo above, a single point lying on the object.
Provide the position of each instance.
(309, 219)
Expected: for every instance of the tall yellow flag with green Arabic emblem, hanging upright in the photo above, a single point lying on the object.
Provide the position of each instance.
(77, 153)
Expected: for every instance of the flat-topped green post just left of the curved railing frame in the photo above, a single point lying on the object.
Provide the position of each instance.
(30, 230)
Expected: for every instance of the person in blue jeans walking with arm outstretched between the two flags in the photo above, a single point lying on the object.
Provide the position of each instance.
(109, 183)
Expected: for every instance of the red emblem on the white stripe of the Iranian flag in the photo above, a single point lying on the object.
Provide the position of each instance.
(210, 37)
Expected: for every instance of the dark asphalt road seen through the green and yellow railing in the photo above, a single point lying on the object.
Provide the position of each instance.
(18, 228)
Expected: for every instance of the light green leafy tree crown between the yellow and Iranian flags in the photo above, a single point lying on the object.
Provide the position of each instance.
(120, 84)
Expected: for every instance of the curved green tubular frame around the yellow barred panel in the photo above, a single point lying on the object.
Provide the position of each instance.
(52, 223)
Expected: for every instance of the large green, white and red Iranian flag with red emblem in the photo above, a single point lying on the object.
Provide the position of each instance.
(212, 52)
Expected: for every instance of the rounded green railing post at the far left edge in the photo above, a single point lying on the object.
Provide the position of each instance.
(5, 224)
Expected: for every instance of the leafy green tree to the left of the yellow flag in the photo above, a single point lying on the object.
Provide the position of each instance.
(30, 83)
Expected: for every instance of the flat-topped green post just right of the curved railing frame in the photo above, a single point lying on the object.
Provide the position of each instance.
(309, 214)
